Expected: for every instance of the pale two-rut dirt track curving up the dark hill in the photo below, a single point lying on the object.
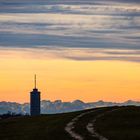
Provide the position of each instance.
(90, 127)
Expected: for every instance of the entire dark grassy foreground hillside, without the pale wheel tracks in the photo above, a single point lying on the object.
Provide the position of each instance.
(123, 123)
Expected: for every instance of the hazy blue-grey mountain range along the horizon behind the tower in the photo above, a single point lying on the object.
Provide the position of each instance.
(48, 107)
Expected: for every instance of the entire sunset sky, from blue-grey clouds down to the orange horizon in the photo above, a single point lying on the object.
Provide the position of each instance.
(79, 49)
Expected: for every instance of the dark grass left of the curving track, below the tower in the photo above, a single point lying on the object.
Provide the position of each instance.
(48, 127)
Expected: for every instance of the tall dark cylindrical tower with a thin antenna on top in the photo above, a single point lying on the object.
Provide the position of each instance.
(35, 101)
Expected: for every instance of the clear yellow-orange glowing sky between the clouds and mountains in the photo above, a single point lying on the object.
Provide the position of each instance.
(68, 79)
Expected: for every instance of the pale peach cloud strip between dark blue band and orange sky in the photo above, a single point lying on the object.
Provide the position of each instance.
(76, 54)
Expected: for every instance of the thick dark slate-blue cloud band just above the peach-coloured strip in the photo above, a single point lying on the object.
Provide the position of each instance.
(38, 40)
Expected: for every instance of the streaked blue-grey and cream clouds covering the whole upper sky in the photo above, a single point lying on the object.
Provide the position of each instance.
(73, 25)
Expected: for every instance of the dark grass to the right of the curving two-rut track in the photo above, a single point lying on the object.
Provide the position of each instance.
(122, 124)
